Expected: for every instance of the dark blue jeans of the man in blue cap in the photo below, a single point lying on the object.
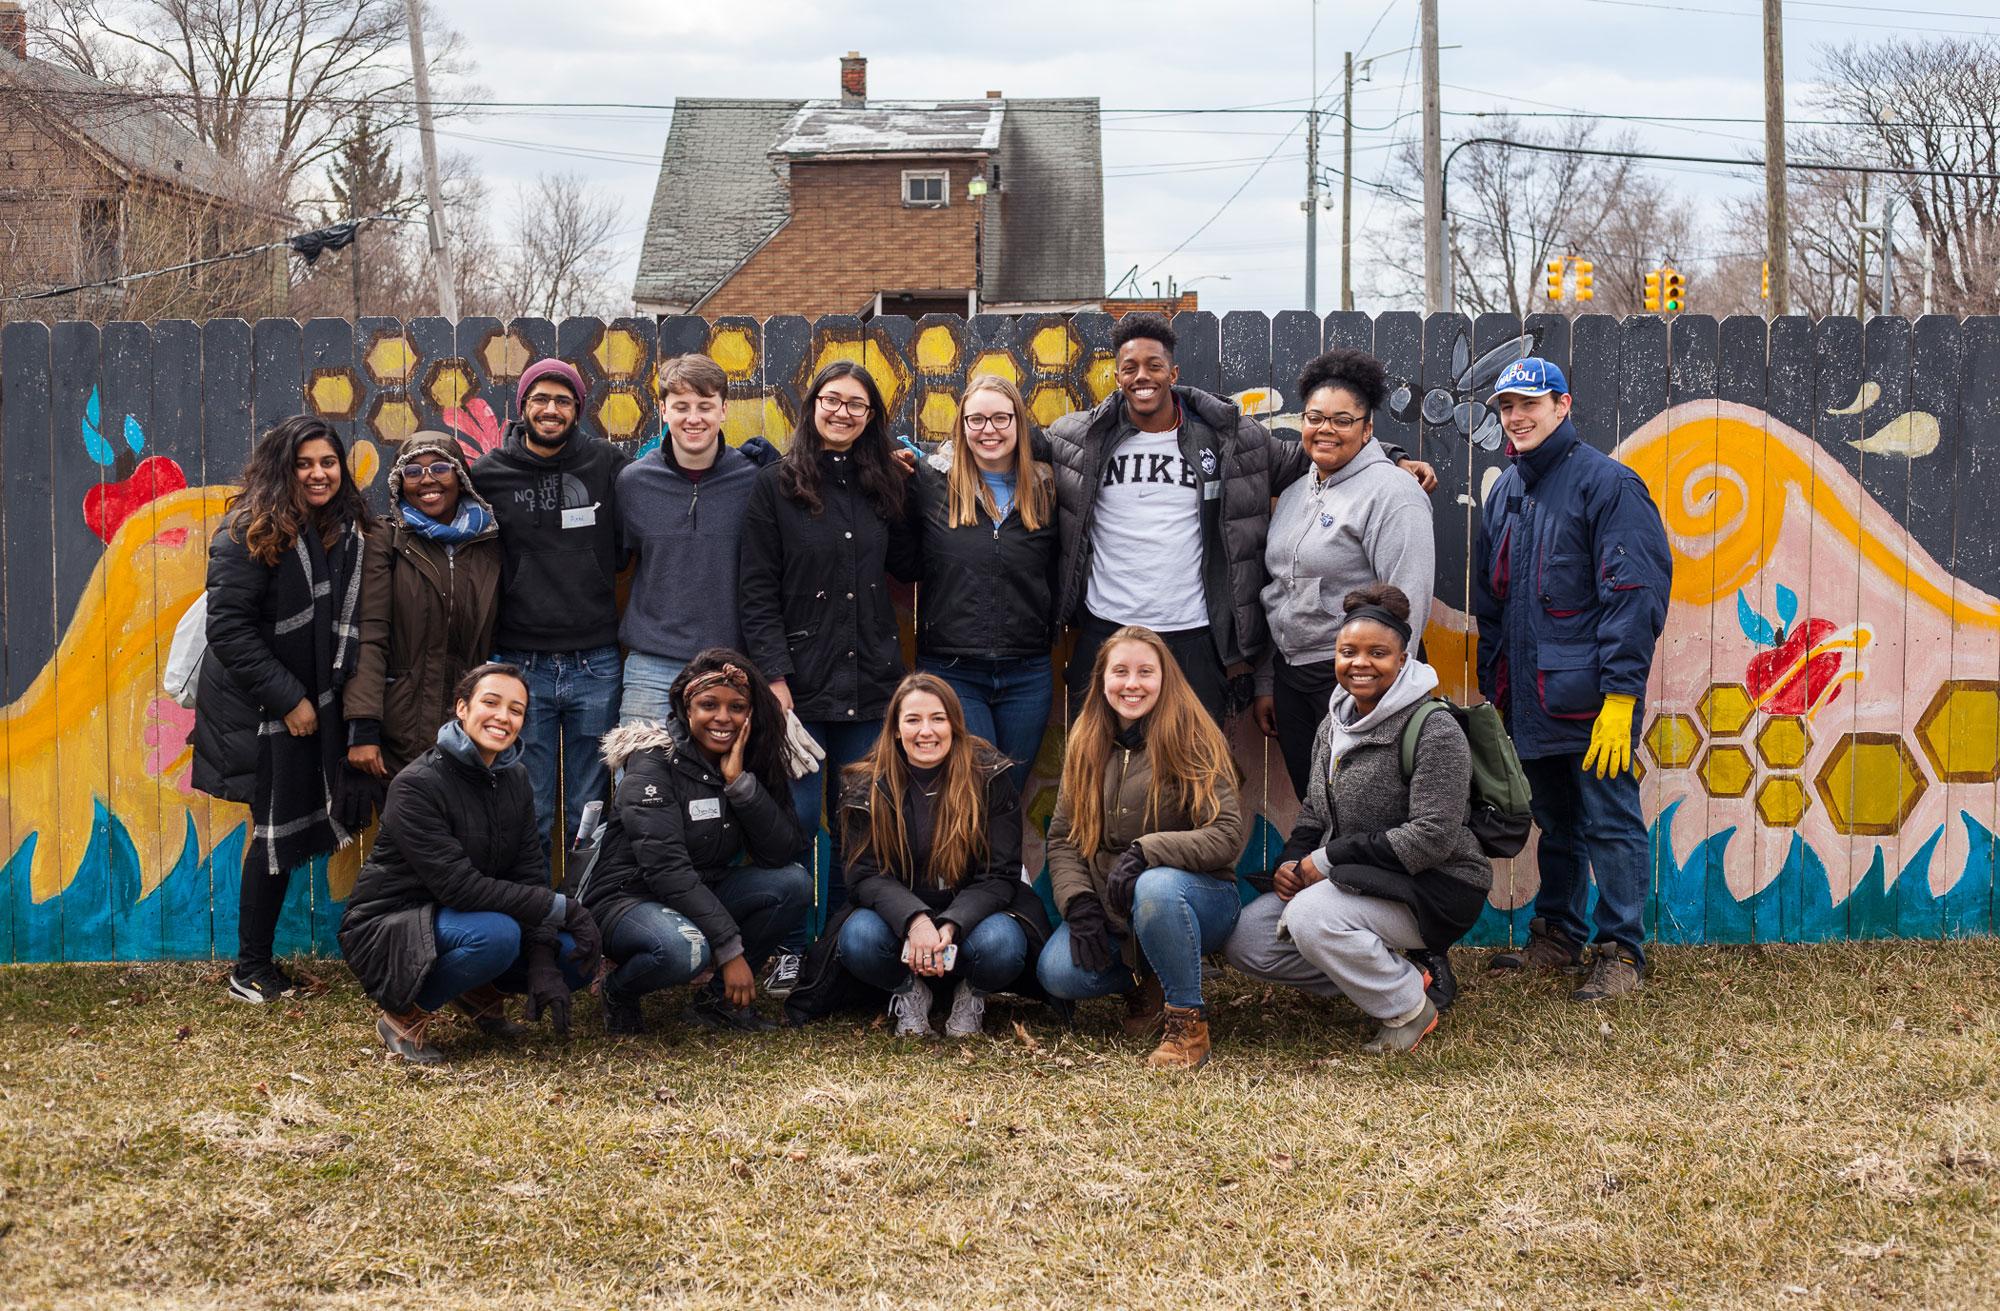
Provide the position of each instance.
(1591, 828)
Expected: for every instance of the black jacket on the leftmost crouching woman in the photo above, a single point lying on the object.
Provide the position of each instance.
(453, 834)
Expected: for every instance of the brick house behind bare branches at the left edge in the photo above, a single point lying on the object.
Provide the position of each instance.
(99, 183)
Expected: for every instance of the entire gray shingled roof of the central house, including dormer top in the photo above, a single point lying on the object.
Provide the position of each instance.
(725, 189)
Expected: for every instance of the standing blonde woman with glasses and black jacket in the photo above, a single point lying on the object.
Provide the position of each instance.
(987, 613)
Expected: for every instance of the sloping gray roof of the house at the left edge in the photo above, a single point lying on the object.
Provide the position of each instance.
(137, 137)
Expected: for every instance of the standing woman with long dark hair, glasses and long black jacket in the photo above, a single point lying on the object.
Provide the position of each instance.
(821, 531)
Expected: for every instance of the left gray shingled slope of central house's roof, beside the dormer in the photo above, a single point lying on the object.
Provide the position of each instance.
(719, 197)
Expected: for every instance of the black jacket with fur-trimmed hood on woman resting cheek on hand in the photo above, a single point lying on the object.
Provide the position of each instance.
(675, 830)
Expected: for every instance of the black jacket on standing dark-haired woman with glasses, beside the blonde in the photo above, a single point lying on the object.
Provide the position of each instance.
(813, 593)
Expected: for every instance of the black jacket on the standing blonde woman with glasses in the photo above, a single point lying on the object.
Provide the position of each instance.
(989, 589)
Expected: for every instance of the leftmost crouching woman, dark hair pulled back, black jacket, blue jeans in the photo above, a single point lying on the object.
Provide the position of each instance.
(455, 902)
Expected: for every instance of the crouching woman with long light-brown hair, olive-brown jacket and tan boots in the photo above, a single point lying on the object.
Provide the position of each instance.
(1143, 848)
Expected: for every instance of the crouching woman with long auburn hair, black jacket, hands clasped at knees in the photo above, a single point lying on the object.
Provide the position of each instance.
(933, 836)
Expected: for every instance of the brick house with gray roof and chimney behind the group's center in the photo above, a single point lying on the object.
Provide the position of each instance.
(845, 207)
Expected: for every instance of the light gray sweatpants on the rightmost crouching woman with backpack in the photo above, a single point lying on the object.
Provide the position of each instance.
(1339, 944)
